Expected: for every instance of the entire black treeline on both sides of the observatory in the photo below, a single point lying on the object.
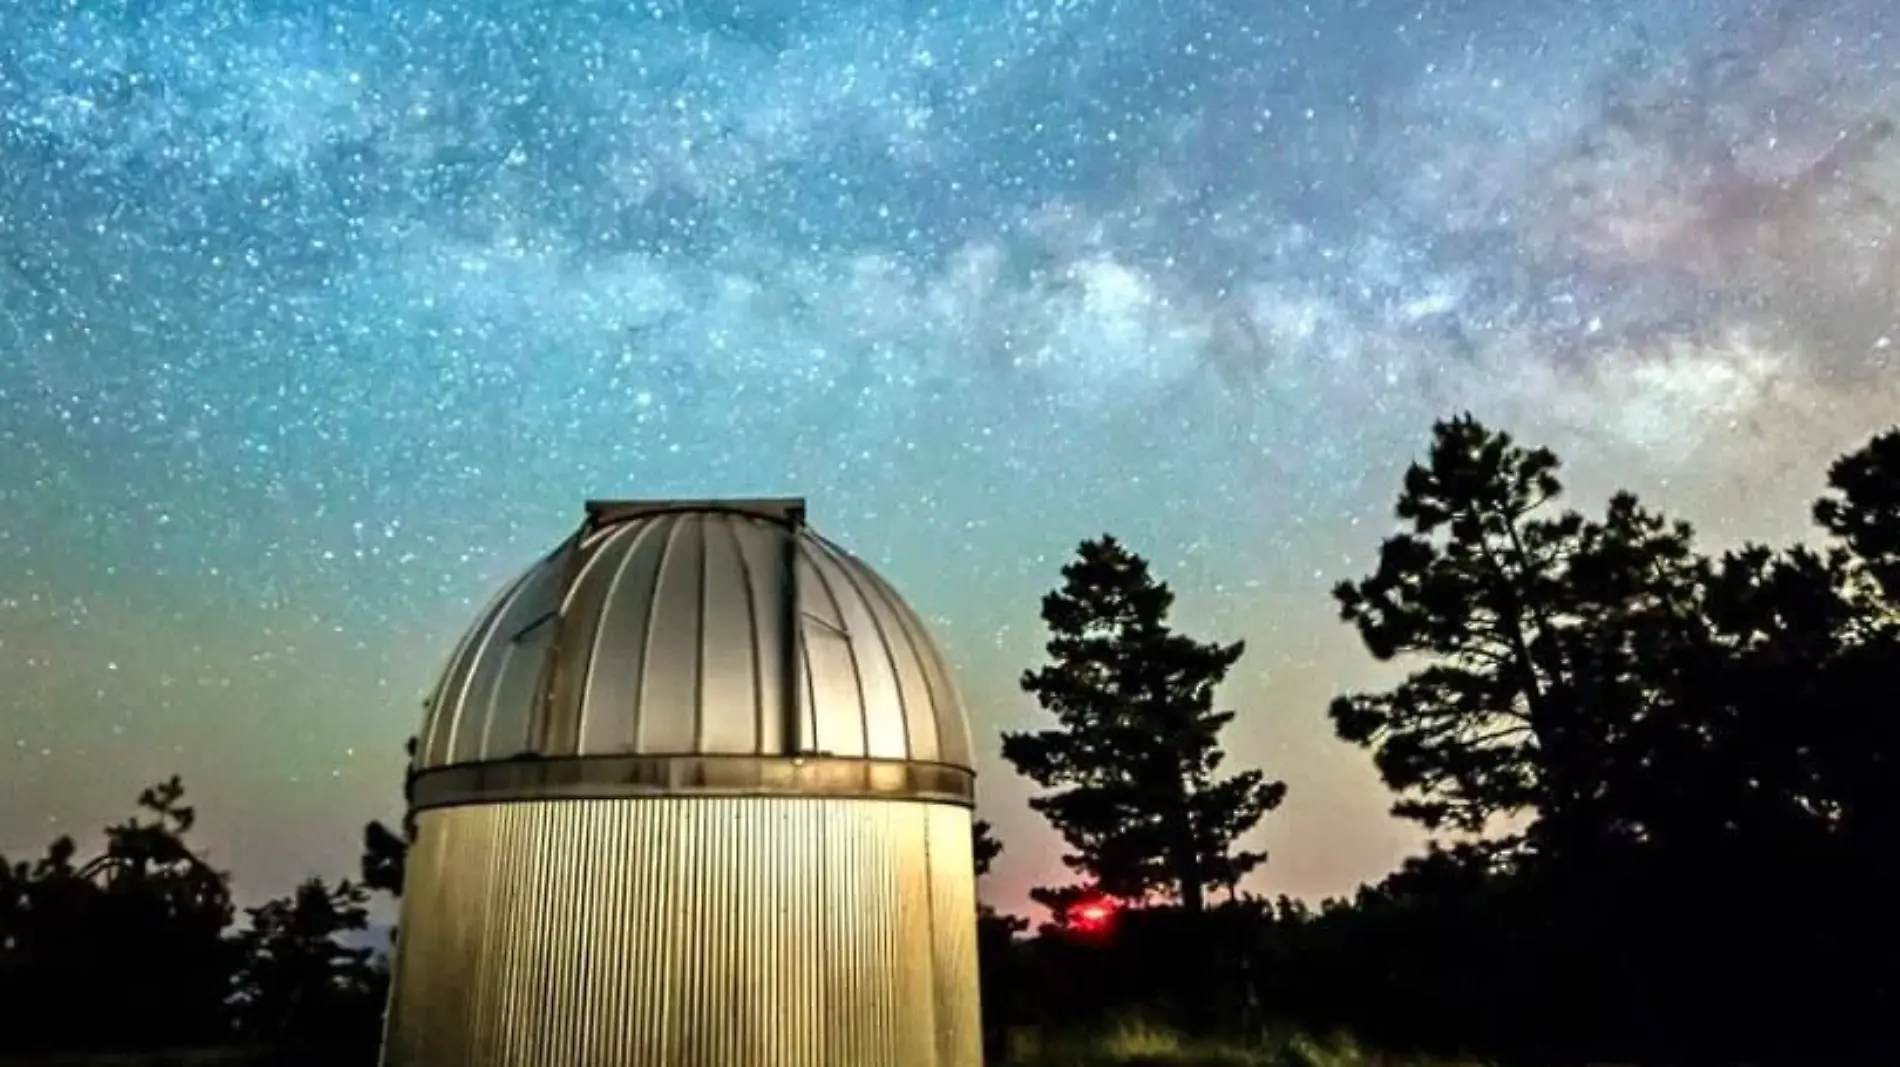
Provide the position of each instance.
(1662, 783)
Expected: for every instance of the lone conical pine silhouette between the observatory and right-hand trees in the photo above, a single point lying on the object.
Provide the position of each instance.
(1137, 743)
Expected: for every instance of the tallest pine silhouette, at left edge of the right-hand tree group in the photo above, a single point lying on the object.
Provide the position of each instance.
(1489, 726)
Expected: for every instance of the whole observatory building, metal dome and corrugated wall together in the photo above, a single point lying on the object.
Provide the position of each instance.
(693, 793)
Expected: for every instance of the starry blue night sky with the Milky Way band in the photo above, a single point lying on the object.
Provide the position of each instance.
(318, 322)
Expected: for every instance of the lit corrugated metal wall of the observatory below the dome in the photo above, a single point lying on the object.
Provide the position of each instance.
(689, 933)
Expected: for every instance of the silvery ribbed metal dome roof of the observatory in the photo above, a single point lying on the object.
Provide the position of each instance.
(694, 648)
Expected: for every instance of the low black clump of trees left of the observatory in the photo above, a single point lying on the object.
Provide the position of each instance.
(138, 948)
